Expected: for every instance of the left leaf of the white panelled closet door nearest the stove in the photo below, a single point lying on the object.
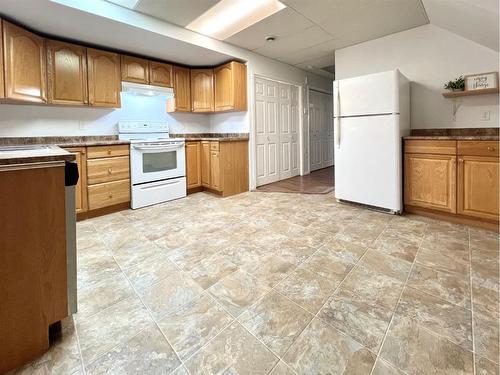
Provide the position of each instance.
(267, 130)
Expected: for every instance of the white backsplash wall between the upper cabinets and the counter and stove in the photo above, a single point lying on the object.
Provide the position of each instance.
(31, 120)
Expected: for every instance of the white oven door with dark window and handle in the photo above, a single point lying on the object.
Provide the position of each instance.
(154, 161)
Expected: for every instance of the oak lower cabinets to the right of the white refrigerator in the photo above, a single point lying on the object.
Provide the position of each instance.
(458, 178)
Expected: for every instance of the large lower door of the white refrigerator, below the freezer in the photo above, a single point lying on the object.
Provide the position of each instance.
(368, 166)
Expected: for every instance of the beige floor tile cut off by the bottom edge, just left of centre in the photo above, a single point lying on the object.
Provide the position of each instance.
(234, 351)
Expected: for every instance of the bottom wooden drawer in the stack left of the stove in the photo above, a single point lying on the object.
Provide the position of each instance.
(108, 194)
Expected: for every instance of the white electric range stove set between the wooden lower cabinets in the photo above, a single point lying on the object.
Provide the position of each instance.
(157, 163)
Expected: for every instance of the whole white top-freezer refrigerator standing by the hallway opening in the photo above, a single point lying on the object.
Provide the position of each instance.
(371, 115)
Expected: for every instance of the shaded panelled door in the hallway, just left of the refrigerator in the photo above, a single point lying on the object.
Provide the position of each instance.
(321, 148)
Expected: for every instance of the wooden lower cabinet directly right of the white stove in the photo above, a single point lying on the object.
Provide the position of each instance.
(223, 165)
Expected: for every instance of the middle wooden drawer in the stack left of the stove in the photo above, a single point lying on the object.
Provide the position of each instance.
(107, 170)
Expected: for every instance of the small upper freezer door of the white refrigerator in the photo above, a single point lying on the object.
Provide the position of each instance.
(371, 94)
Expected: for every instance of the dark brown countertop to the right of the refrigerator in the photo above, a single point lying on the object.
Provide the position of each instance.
(455, 134)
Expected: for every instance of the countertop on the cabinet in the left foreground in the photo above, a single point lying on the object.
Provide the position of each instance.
(46, 154)
